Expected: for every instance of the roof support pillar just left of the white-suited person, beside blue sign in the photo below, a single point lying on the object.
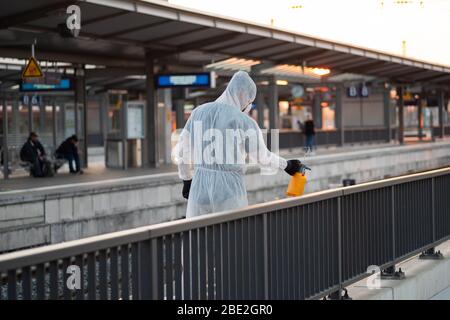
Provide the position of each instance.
(151, 152)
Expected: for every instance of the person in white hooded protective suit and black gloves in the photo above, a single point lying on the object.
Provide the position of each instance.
(212, 149)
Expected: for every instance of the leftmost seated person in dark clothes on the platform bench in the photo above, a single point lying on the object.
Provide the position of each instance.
(33, 152)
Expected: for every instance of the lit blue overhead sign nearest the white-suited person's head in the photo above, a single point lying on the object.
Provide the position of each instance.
(204, 79)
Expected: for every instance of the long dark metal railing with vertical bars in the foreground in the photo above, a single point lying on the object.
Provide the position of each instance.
(298, 248)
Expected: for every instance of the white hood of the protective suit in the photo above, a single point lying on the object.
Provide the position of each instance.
(240, 92)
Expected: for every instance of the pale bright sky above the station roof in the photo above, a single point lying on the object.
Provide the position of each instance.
(418, 29)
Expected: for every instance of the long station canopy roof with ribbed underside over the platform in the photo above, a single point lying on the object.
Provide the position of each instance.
(119, 34)
